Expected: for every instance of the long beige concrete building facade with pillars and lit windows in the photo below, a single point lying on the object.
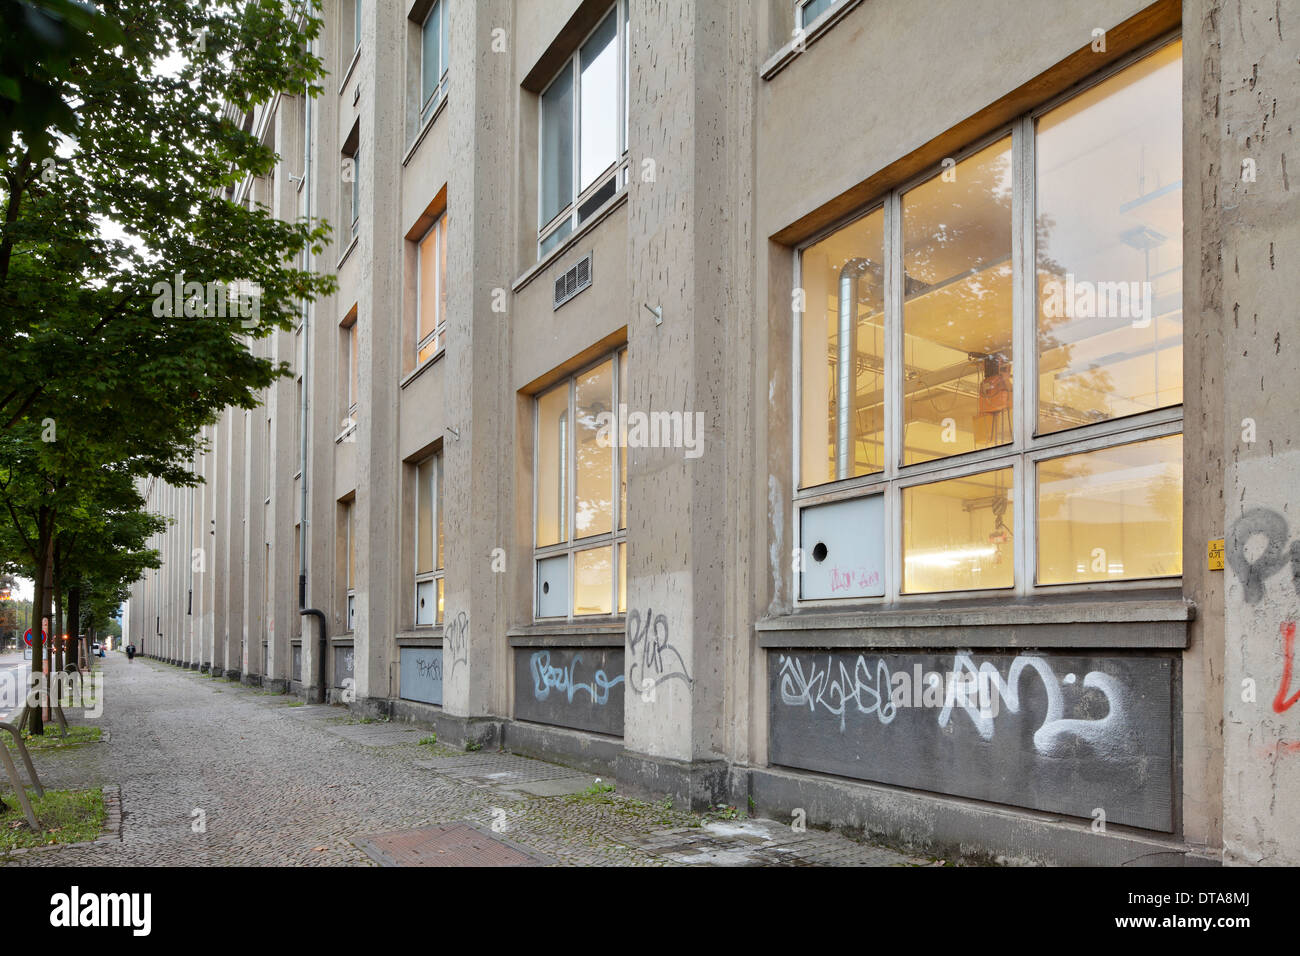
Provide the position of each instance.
(865, 412)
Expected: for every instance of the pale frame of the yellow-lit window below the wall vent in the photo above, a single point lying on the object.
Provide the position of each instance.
(616, 539)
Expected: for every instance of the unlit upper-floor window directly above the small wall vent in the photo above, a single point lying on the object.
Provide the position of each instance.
(584, 137)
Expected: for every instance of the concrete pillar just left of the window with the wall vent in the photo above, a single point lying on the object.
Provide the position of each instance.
(478, 466)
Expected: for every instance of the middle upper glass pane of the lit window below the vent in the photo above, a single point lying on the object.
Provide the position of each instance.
(593, 452)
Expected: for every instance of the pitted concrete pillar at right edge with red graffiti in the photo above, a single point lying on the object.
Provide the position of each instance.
(1258, 111)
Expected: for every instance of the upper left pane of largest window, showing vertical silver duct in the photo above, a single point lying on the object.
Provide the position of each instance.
(843, 354)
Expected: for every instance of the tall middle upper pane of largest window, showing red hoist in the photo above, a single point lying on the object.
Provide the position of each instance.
(957, 309)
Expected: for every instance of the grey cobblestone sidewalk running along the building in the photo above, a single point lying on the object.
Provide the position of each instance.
(275, 782)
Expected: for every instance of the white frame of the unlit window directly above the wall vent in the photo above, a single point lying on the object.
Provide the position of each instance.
(617, 171)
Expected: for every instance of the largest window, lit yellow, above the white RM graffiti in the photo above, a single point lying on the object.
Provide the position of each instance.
(991, 361)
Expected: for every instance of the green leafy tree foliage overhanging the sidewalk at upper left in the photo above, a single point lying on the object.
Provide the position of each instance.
(124, 132)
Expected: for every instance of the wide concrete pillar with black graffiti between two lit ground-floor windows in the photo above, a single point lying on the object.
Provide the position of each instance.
(678, 259)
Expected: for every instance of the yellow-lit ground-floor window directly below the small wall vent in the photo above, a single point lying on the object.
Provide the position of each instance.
(580, 483)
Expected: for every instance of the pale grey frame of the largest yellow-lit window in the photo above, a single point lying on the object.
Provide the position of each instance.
(1028, 449)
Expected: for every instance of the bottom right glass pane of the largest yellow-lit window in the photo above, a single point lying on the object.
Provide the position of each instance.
(1112, 514)
